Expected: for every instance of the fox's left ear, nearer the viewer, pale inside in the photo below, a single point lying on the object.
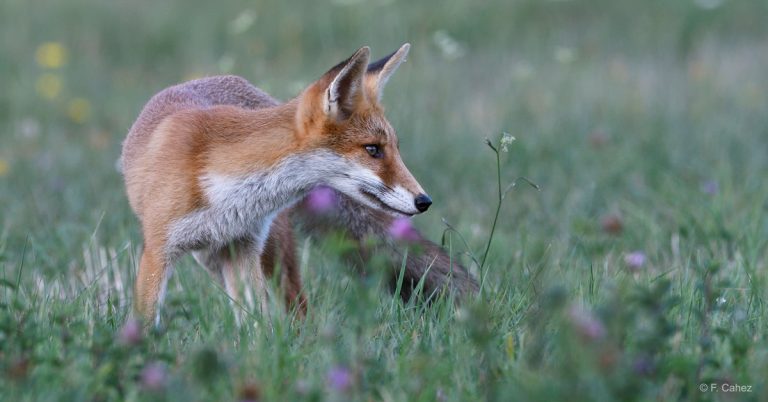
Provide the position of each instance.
(346, 88)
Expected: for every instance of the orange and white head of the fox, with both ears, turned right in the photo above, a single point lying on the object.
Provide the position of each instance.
(341, 113)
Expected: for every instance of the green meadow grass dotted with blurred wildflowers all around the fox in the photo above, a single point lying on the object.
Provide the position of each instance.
(643, 123)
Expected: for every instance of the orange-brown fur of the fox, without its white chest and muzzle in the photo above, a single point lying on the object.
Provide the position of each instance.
(184, 135)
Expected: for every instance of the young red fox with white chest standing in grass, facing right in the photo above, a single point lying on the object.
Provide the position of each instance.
(216, 167)
